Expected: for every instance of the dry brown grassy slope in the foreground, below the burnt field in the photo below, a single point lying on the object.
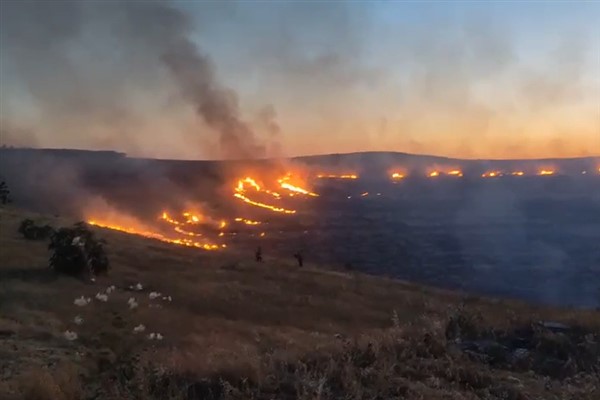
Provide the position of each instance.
(241, 330)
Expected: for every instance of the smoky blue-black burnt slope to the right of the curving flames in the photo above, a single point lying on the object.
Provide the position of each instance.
(530, 238)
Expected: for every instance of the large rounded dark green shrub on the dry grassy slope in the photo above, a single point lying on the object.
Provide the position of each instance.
(76, 251)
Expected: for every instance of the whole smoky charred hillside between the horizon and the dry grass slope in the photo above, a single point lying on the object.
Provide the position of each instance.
(532, 237)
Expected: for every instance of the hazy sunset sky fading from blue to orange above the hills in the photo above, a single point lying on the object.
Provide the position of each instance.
(467, 79)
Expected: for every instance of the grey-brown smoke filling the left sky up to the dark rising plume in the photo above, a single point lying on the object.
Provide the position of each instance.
(113, 75)
